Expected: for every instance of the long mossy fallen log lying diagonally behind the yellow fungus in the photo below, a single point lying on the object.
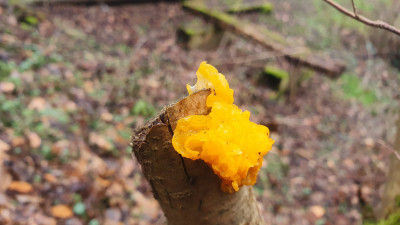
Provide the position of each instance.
(270, 40)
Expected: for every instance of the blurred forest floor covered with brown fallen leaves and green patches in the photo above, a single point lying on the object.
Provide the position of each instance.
(75, 80)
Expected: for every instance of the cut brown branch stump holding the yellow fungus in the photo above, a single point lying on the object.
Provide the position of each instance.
(188, 191)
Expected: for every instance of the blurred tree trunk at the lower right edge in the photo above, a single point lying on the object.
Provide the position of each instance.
(391, 196)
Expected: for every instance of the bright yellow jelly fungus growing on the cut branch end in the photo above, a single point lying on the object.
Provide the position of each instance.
(225, 138)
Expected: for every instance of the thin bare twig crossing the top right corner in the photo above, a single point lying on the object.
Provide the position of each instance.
(378, 24)
